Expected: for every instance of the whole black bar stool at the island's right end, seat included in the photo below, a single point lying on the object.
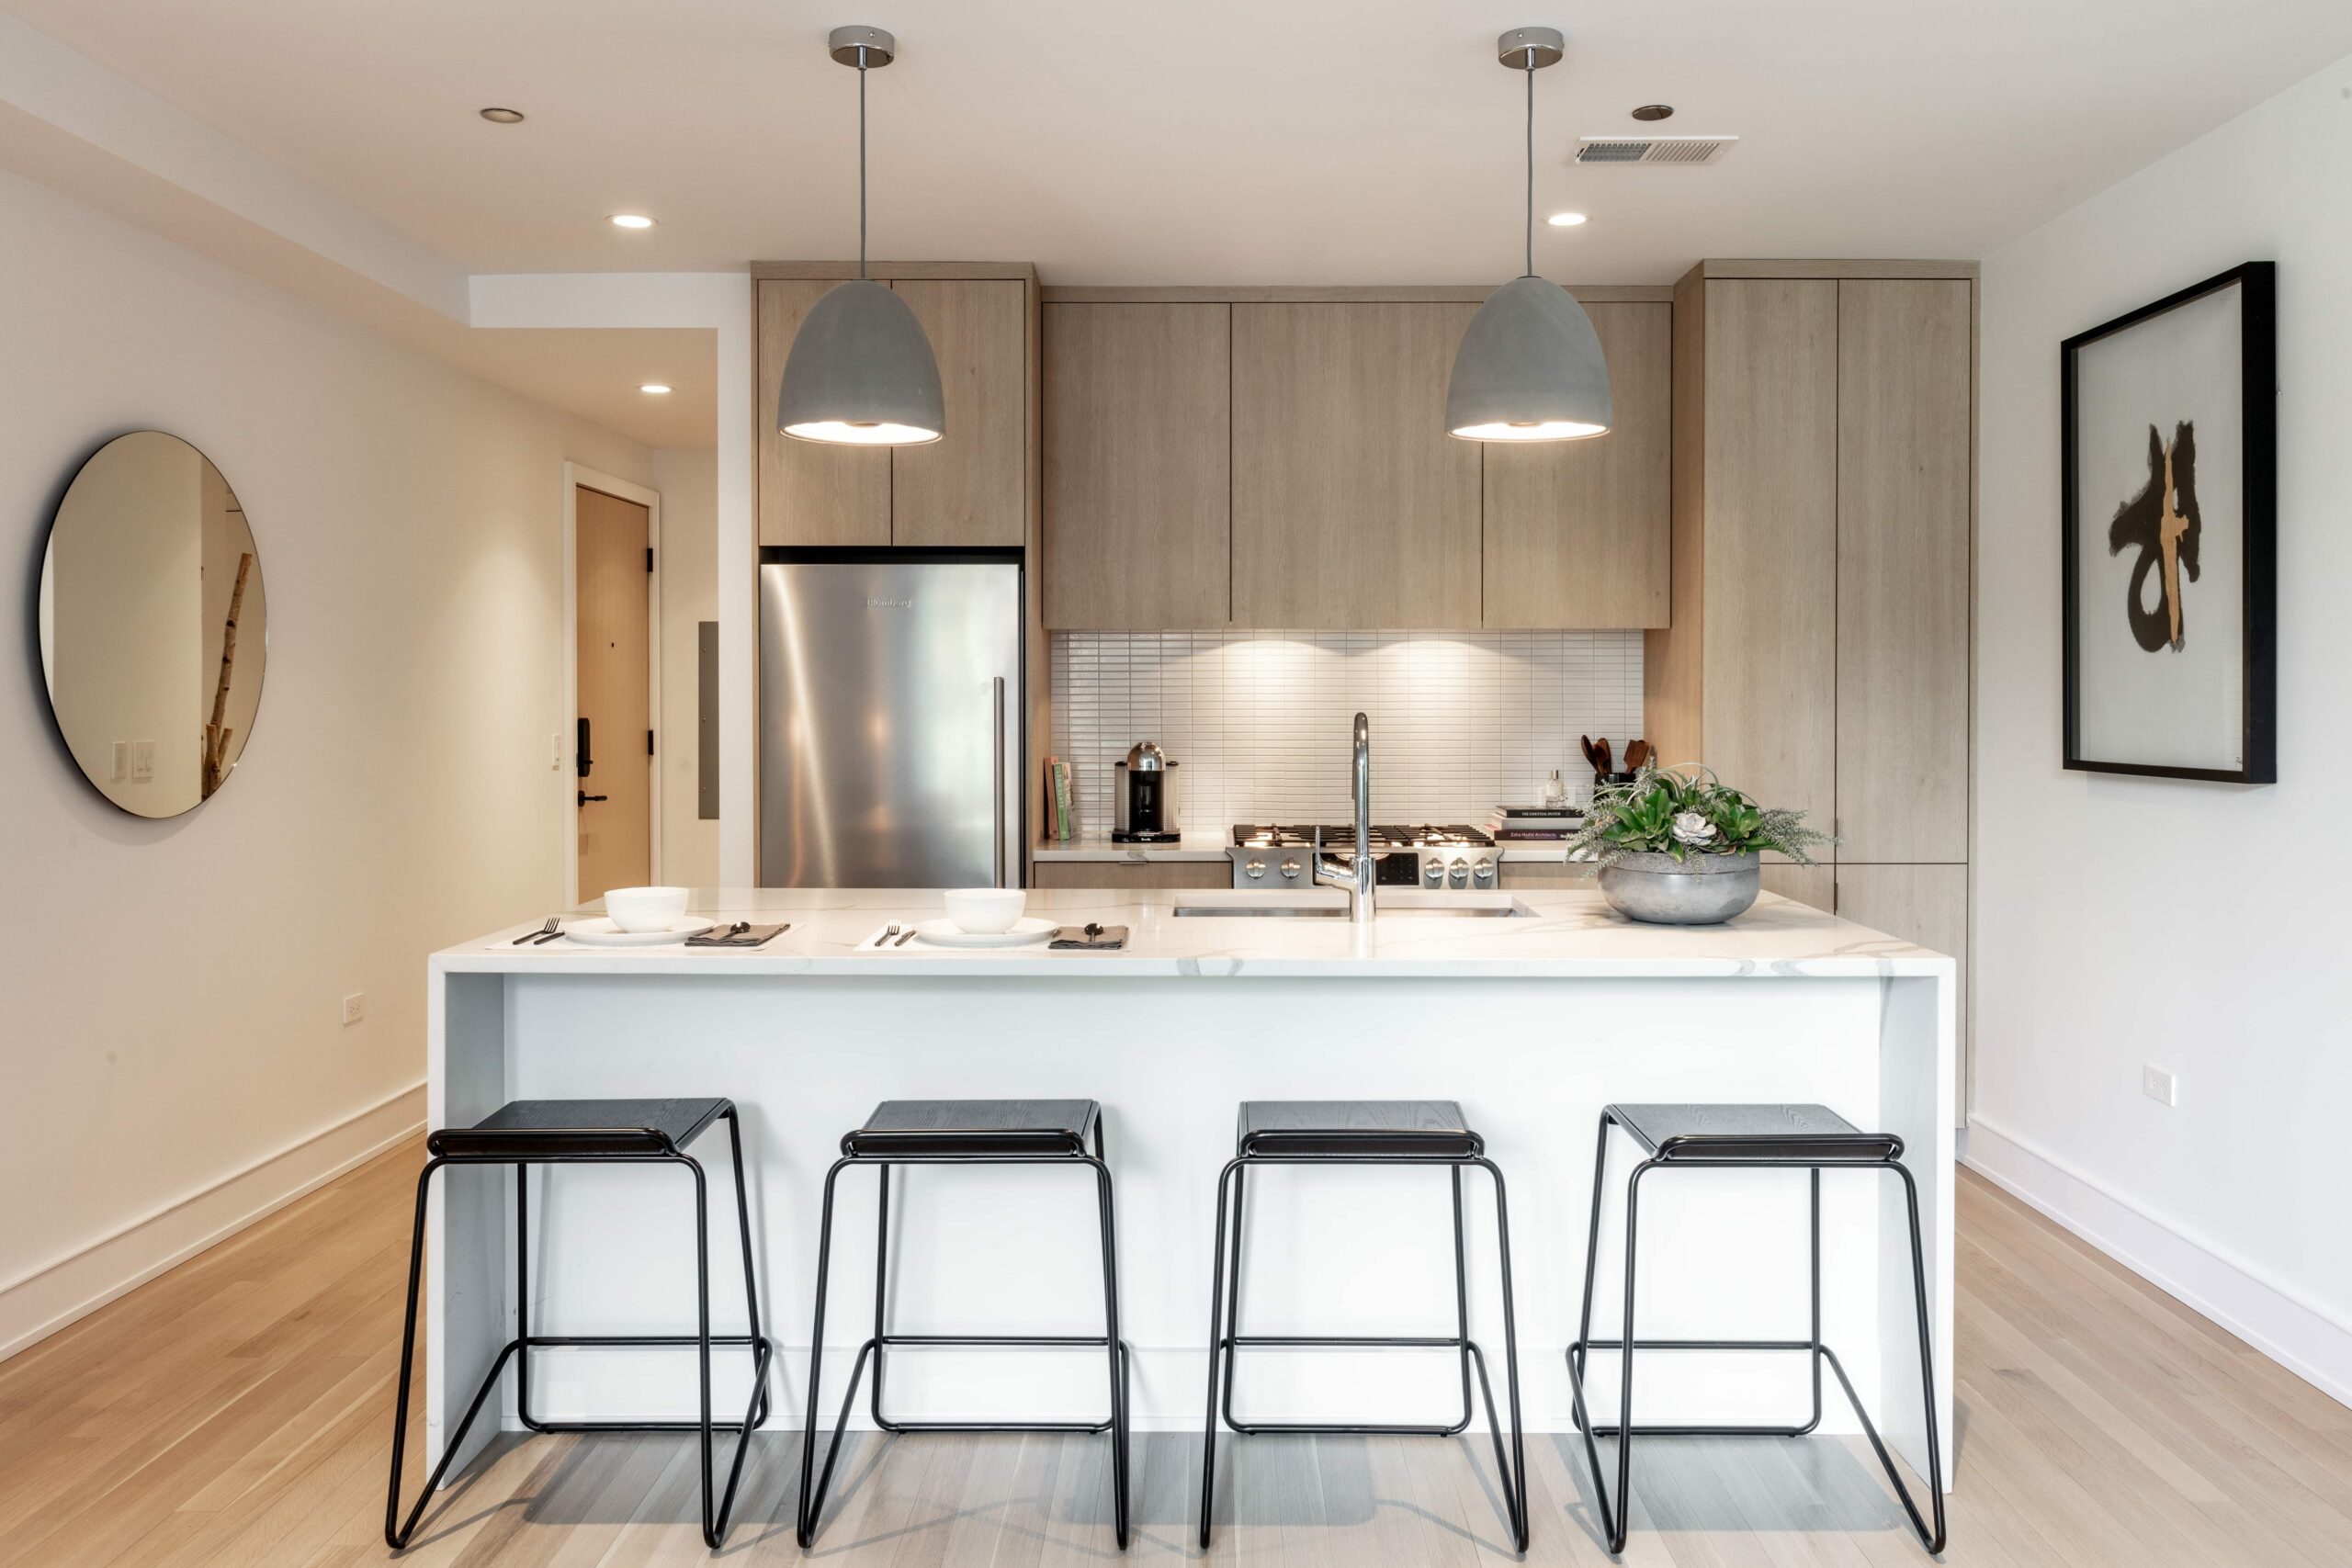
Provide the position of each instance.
(1744, 1137)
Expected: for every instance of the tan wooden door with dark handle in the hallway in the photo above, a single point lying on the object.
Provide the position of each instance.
(615, 699)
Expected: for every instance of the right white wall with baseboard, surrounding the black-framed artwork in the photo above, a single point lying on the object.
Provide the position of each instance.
(2186, 925)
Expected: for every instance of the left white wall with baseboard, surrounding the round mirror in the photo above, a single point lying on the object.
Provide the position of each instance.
(171, 1045)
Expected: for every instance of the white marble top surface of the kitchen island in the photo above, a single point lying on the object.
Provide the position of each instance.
(1565, 934)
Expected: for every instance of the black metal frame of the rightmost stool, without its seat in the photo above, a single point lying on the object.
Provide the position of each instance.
(1718, 1153)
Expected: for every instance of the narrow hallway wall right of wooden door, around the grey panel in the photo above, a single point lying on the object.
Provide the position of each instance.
(690, 594)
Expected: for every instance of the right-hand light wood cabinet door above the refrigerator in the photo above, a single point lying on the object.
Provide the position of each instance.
(968, 485)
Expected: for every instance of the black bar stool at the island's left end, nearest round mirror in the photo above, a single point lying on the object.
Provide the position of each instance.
(587, 1134)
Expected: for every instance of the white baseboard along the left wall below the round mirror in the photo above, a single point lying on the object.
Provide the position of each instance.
(39, 1304)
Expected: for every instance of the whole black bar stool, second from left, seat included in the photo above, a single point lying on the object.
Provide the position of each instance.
(965, 1134)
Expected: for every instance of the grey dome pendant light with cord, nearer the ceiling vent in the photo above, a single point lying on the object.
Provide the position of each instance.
(1530, 368)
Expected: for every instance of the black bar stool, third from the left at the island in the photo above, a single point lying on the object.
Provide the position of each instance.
(1363, 1134)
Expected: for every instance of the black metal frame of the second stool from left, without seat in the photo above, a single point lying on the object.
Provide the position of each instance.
(813, 1482)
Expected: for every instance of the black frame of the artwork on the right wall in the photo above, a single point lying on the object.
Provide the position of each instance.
(2259, 742)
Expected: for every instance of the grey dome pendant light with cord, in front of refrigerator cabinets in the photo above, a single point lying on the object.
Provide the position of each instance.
(862, 373)
